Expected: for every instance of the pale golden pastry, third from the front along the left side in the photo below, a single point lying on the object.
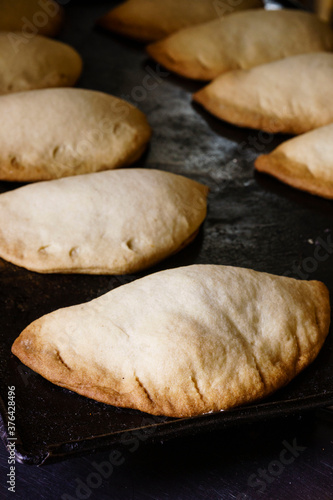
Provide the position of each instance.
(51, 133)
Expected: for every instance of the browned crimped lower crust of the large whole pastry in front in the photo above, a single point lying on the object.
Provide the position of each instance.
(30, 350)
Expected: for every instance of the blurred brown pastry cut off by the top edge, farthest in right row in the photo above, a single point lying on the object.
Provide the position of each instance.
(149, 20)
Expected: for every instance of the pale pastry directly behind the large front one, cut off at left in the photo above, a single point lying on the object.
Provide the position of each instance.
(113, 222)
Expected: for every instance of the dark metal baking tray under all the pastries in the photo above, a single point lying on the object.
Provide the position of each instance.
(253, 221)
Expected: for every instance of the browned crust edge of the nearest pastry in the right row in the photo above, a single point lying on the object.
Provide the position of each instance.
(280, 166)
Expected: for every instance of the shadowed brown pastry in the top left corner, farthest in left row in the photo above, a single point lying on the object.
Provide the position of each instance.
(31, 17)
